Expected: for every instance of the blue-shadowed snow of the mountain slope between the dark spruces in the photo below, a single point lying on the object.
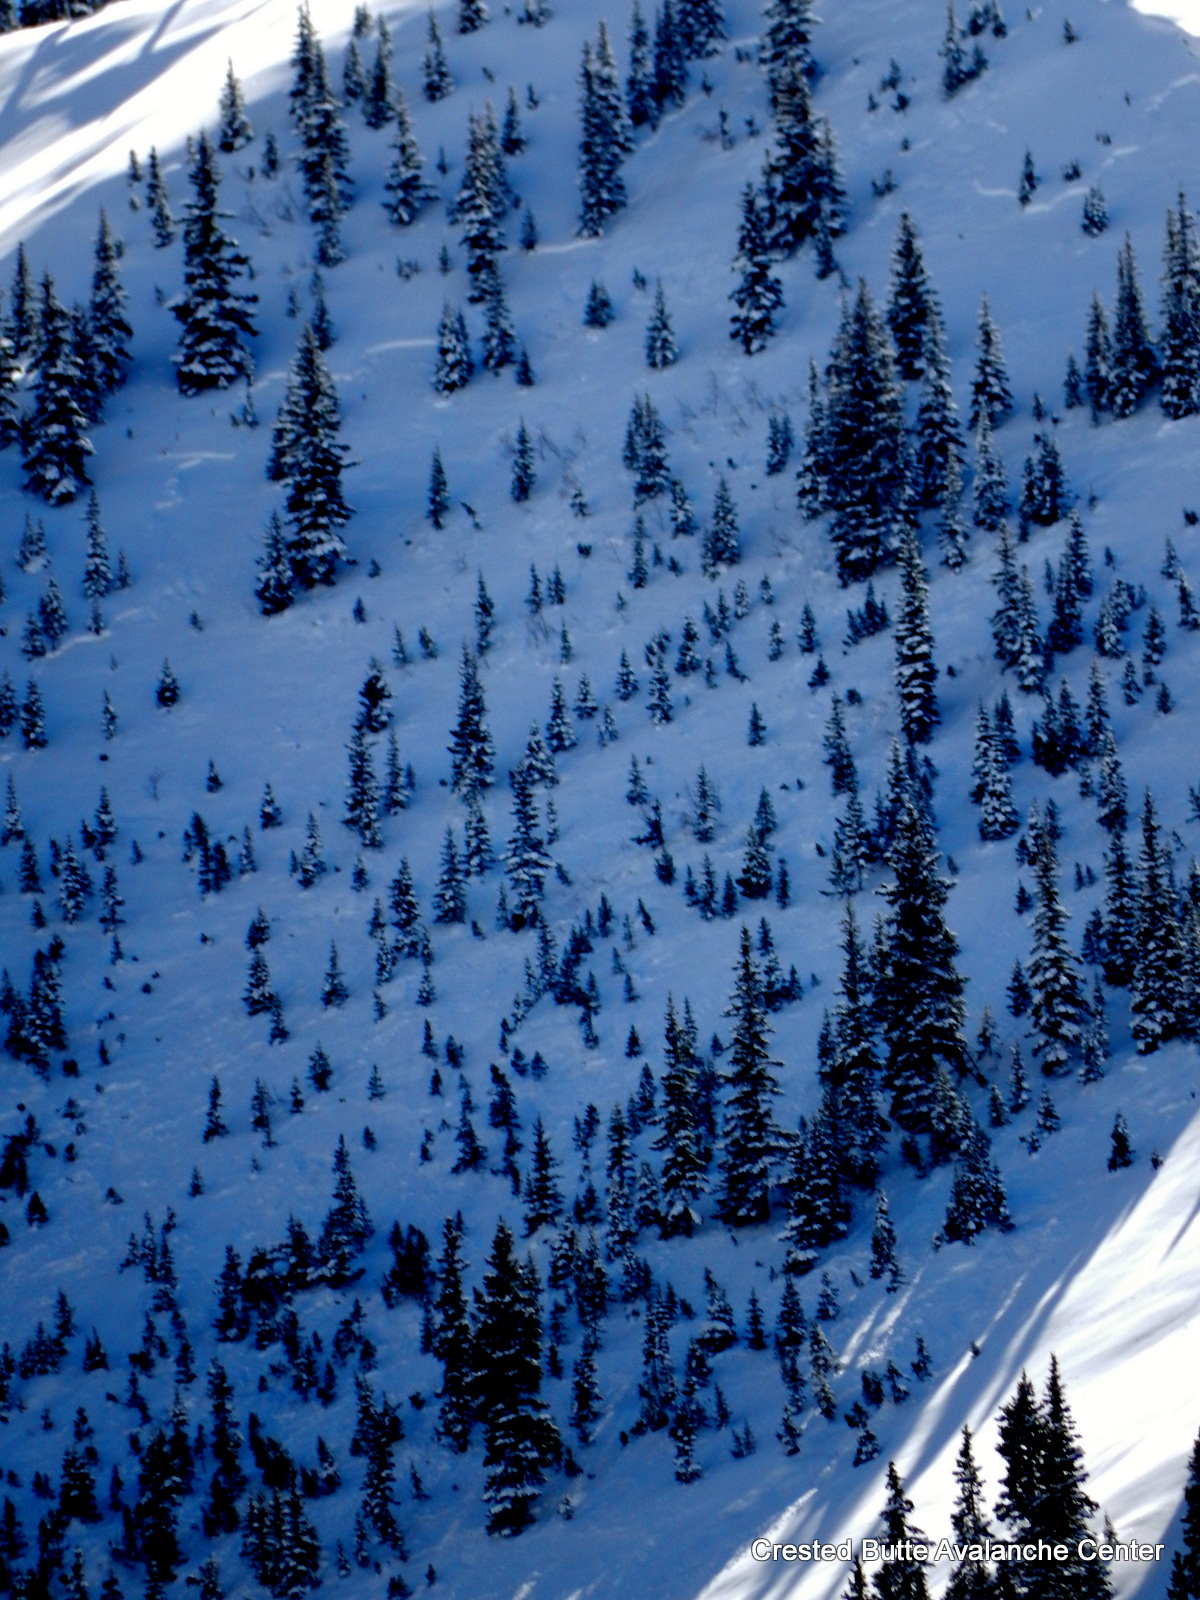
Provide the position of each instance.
(273, 700)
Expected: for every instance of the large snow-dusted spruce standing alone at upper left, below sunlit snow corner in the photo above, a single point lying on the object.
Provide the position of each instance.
(215, 313)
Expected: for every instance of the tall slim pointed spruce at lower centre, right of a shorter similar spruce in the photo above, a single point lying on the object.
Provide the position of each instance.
(750, 1135)
